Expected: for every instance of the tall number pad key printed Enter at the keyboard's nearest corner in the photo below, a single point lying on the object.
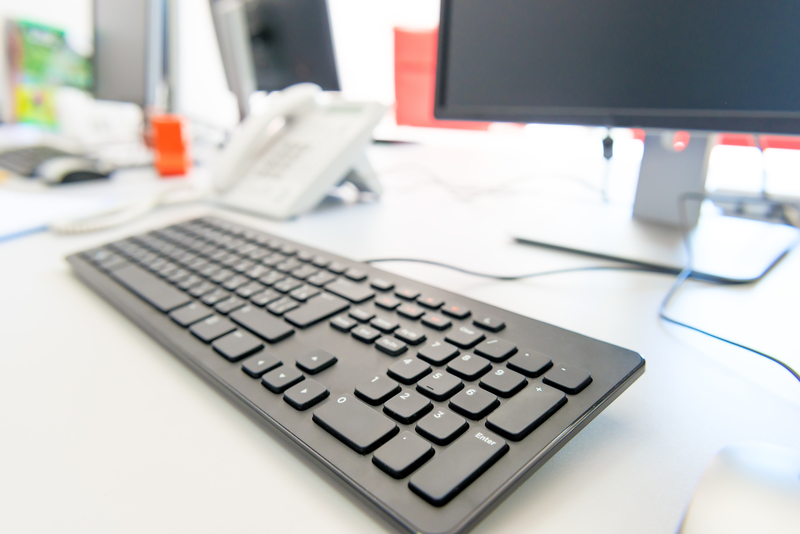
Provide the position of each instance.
(452, 470)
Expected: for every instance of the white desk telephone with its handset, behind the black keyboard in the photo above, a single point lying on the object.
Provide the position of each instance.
(285, 160)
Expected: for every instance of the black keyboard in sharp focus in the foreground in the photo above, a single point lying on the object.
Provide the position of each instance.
(430, 406)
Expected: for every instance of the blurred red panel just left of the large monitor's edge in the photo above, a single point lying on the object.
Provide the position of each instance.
(415, 80)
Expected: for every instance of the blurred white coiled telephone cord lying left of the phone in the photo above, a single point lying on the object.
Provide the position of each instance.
(127, 212)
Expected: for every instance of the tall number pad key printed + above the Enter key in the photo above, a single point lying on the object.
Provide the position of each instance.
(521, 415)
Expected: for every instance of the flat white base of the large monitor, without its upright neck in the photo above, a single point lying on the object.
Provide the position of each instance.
(726, 249)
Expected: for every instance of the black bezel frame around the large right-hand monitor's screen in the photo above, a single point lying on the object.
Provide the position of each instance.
(708, 120)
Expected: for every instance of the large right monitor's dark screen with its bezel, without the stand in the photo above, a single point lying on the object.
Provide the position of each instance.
(709, 65)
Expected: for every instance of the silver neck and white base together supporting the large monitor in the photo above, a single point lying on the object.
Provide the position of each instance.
(724, 248)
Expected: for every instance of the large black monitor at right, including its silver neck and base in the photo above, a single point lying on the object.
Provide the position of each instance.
(715, 65)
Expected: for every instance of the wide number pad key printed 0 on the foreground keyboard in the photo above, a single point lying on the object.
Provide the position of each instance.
(355, 424)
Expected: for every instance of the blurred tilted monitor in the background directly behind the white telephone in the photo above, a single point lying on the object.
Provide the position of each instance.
(268, 45)
